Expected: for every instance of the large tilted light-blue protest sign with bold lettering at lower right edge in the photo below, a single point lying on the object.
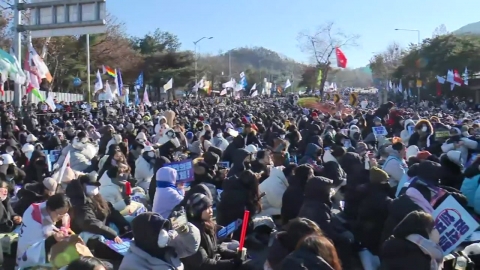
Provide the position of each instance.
(453, 223)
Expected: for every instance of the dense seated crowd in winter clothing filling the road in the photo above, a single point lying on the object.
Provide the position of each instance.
(171, 183)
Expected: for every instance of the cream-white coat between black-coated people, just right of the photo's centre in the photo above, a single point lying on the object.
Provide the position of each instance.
(274, 187)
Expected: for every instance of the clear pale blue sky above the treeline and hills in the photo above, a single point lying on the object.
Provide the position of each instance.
(275, 24)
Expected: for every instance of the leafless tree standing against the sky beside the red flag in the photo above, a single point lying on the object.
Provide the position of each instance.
(321, 46)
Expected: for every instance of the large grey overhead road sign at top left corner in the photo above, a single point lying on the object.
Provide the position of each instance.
(65, 18)
